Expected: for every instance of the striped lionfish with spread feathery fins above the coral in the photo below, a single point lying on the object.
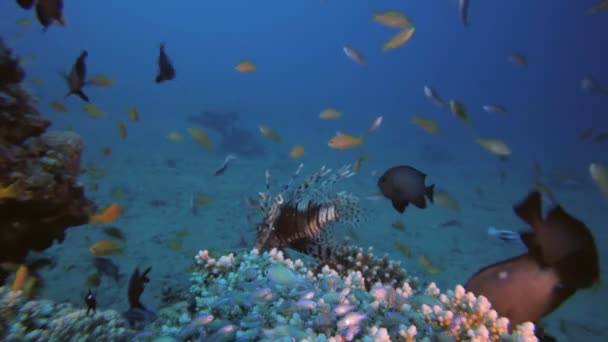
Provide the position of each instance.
(300, 216)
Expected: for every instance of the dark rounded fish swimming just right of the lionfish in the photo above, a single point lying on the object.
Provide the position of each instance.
(404, 185)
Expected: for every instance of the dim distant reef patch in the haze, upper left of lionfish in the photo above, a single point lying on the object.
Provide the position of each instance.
(234, 138)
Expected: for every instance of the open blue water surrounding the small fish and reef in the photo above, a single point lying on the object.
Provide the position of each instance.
(301, 70)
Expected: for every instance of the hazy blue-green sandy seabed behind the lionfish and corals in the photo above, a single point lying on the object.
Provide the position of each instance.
(157, 194)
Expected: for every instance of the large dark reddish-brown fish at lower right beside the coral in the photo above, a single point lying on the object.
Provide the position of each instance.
(561, 259)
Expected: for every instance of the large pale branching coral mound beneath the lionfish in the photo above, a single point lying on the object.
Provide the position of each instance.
(252, 296)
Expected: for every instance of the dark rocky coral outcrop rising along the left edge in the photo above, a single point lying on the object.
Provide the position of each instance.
(38, 172)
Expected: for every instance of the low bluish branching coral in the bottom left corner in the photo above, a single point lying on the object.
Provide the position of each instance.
(47, 321)
